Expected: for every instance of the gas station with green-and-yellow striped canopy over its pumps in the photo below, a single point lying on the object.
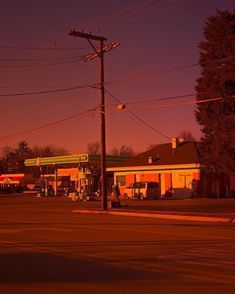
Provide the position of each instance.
(78, 173)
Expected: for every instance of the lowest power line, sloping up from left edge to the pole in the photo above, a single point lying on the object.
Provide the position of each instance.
(53, 124)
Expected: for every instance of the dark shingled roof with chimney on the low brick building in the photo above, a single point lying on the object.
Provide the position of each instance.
(163, 154)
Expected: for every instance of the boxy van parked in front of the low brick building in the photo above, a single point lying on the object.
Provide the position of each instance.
(142, 190)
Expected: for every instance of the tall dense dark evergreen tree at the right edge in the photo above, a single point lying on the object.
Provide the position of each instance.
(217, 118)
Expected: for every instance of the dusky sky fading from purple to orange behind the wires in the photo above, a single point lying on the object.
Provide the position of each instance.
(38, 55)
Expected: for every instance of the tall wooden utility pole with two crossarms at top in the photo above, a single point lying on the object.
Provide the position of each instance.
(99, 53)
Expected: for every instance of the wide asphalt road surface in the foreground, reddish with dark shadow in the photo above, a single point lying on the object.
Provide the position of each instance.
(45, 248)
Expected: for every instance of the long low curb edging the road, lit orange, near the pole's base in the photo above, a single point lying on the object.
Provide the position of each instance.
(160, 216)
